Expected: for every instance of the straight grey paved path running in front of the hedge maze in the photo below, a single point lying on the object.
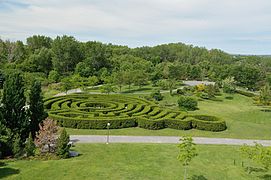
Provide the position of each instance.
(162, 139)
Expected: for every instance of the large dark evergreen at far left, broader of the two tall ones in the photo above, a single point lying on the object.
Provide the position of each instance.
(13, 105)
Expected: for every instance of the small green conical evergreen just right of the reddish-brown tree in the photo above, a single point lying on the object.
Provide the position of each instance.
(63, 145)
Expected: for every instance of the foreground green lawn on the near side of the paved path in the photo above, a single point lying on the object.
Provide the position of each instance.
(134, 161)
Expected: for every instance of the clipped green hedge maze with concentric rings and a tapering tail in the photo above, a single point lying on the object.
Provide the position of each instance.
(85, 111)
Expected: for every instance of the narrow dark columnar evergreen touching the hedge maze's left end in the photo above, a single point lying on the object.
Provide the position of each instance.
(36, 109)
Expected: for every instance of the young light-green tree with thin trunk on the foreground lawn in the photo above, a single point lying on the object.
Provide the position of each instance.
(187, 151)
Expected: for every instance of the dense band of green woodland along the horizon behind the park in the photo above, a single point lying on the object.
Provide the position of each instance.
(50, 60)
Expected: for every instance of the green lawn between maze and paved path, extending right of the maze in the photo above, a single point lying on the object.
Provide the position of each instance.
(244, 120)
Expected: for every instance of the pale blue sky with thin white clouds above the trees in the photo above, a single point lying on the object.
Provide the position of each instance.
(235, 26)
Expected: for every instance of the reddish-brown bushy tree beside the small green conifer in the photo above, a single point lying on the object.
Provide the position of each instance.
(46, 138)
